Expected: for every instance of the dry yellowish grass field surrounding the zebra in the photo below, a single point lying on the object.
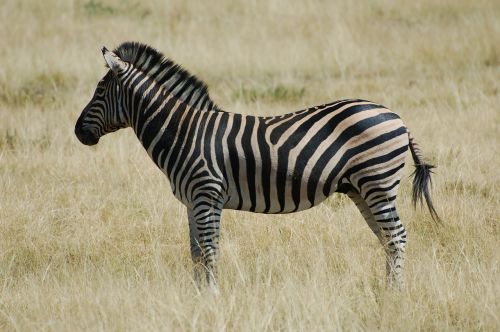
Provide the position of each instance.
(93, 239)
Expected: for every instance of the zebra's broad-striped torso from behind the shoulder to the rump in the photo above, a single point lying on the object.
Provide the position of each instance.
(292, 162)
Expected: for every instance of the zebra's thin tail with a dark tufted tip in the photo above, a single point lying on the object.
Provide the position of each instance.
(422, 179)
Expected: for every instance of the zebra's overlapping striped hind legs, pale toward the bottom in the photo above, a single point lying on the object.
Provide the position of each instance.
(382, 218)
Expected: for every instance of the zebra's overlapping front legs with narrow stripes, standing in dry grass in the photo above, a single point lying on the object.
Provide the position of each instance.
(204, 230)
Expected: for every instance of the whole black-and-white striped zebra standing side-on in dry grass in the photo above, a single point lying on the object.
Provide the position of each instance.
(218, 160)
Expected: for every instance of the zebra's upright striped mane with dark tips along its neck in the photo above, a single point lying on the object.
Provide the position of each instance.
(177, 80)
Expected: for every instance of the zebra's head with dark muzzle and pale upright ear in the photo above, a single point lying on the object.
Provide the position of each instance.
(105, 112)
